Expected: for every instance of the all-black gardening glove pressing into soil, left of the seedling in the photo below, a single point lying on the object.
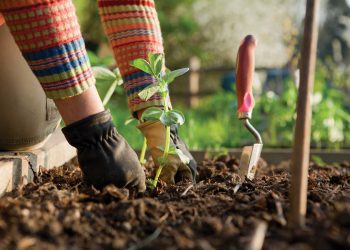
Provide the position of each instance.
(104, 155)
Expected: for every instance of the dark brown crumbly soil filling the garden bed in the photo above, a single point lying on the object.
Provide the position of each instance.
(58, 211)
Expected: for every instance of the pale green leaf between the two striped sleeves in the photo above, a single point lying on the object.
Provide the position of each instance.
(107, 82)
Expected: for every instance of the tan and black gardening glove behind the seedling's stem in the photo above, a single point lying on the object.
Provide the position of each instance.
(175, 170)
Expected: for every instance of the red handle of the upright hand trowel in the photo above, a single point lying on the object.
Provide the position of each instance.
(245, 65)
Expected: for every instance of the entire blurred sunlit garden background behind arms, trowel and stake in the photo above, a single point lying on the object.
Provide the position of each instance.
(204, 35)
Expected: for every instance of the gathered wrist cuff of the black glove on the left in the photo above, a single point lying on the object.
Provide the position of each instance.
(89, 130)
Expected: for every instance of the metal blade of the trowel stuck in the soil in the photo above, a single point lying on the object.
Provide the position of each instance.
(249, 161)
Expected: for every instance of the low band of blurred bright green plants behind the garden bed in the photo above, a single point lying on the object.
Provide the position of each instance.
(214, 125)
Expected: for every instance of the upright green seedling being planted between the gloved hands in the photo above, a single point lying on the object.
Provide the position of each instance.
(154, 67)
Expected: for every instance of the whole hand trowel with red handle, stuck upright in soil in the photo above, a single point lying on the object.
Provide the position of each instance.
(245, 65)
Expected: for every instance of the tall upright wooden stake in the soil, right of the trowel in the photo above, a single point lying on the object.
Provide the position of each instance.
(301, 146)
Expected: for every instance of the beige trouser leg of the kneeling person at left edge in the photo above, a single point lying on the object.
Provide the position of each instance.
(27, 117)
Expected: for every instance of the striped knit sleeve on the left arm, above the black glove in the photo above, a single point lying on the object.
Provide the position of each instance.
(48, 34)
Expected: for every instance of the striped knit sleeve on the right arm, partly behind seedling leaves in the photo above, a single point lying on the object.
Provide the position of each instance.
(133, 30)
